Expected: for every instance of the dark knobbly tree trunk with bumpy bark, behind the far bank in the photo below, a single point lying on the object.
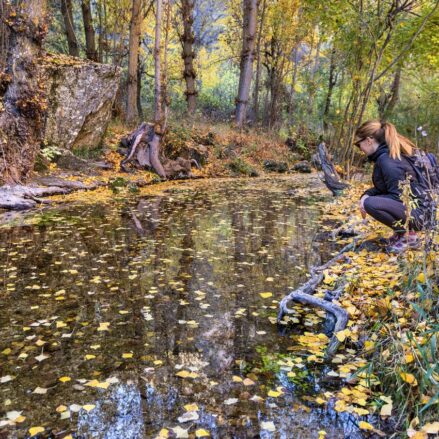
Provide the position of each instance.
(188, 54)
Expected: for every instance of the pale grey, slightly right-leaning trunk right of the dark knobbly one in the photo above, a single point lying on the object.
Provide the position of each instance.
(247, 56)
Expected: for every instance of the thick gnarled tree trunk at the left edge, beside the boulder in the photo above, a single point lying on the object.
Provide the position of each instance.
(24, 101)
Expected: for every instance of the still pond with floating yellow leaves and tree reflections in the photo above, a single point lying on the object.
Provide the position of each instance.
(155, 315)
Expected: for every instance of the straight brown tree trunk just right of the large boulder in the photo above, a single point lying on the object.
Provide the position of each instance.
(132, 114)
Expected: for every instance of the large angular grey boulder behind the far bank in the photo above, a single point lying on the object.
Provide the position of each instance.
(80, 95)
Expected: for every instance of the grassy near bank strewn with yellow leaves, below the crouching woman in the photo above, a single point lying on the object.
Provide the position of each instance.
(389, 357)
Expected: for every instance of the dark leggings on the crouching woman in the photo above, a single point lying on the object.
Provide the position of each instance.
(392, 213)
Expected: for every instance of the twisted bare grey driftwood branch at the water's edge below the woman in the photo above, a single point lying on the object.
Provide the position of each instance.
(304, 295)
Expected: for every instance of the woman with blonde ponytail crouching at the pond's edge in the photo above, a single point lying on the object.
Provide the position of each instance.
(393, 163)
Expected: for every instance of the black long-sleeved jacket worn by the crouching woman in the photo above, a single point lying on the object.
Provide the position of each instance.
(388, 173)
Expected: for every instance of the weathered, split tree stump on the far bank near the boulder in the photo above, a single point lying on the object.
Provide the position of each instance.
(143, 148)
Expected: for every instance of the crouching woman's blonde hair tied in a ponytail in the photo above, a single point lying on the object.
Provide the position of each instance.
(386, 132)
